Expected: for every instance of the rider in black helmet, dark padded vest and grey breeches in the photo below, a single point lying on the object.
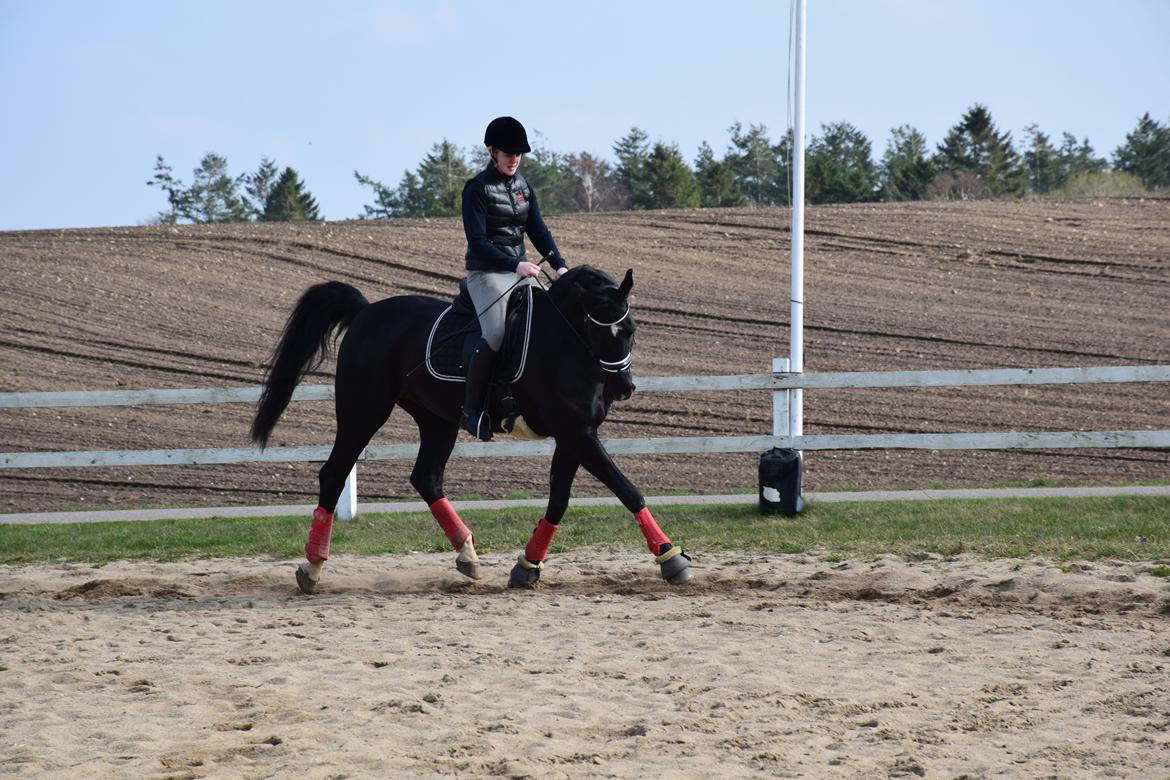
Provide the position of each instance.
(499, 208)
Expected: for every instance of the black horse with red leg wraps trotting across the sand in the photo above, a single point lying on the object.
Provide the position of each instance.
(577, 365)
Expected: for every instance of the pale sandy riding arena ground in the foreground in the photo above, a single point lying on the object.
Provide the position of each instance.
(765, 667)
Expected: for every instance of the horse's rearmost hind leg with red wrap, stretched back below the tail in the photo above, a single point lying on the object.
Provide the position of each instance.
(363, 408)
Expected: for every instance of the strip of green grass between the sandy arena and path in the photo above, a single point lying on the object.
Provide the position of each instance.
(1061, 529)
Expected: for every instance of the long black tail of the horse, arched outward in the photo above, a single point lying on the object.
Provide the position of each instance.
(324, 313)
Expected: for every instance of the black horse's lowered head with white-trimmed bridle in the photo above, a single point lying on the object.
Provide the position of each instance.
(609, 327)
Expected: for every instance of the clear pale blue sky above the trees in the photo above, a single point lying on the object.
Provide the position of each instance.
(94, 91)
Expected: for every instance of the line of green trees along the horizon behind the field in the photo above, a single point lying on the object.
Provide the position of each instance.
(975, 161)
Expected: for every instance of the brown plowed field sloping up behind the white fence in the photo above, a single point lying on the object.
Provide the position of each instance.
(889, 287)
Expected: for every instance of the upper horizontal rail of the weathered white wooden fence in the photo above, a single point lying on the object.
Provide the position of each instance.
(776, 382)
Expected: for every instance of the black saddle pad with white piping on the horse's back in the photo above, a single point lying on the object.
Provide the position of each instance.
(457, 330)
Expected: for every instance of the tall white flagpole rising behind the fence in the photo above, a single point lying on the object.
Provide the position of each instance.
(796, 410)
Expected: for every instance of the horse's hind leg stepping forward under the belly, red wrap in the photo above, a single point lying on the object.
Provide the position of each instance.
(437, 440)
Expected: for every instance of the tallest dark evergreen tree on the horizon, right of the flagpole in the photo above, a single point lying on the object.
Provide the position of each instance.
(978, 148)
